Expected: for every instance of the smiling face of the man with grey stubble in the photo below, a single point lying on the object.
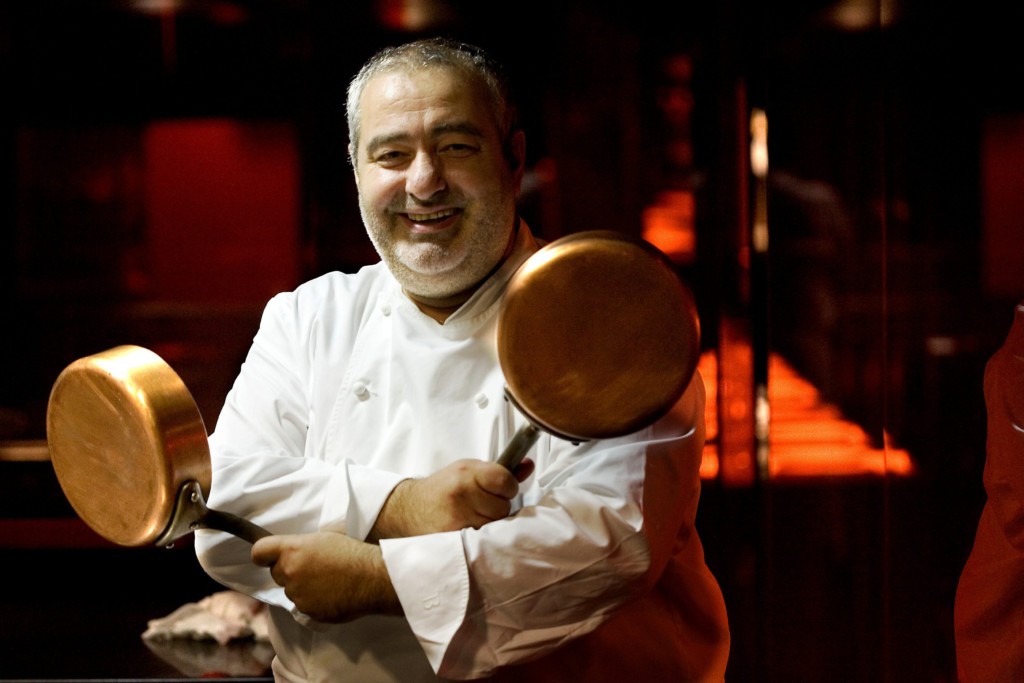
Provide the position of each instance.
(437, 193)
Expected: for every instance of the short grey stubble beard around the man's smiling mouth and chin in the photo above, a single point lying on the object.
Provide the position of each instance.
(440, 266)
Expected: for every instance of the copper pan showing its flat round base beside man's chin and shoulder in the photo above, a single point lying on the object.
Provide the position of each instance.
(598, 337)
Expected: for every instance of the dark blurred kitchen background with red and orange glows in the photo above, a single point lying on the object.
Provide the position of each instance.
(840, 183)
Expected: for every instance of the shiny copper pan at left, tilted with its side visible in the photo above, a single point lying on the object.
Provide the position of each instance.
(130, 448)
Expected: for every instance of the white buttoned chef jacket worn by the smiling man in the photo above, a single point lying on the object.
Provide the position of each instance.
(349, 389)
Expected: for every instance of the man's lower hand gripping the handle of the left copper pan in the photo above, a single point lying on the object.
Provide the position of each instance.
(329, 577)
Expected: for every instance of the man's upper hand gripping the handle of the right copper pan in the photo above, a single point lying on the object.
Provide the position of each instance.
(467, 493)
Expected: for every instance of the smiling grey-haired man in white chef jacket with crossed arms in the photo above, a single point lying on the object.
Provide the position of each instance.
(364, 426)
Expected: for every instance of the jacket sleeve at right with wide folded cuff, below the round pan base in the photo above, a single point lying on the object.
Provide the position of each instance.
(598, 528)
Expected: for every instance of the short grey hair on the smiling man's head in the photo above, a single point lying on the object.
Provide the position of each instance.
(449, 56)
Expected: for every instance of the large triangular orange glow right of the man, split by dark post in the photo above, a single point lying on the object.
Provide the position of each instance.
(808, 437)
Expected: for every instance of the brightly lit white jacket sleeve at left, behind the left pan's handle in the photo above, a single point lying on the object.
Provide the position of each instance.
(260, 449)
